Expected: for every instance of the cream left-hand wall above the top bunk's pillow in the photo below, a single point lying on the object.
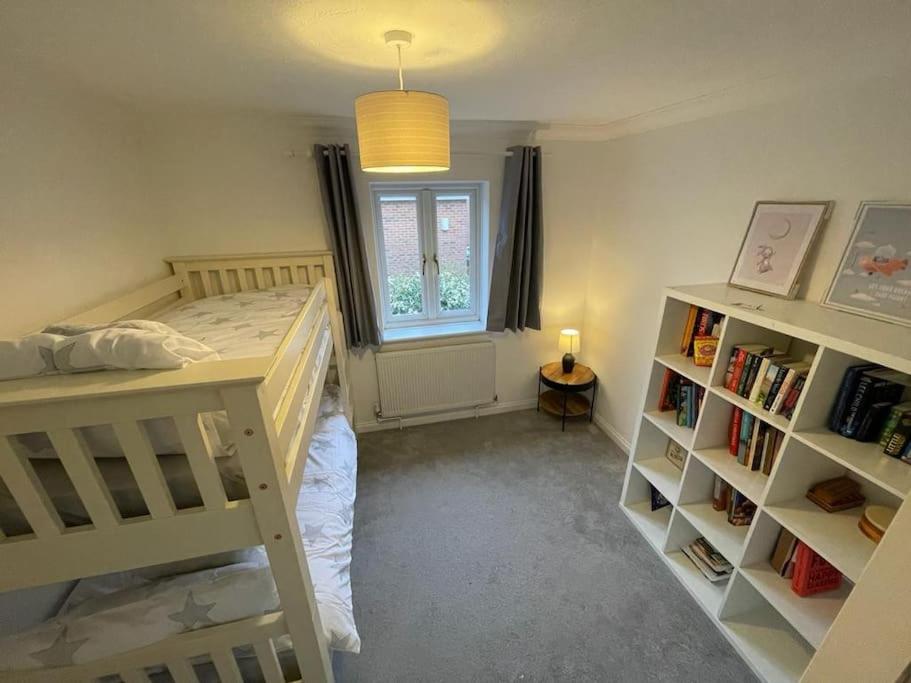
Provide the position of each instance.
(76, 219)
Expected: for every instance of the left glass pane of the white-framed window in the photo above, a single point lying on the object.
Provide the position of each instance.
(403, 254)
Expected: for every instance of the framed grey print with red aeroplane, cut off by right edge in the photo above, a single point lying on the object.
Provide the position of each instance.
(873, 278)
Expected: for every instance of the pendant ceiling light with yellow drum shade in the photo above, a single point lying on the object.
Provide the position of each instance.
(402, 131)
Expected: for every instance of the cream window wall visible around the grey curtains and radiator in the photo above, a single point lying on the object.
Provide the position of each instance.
(227, 184)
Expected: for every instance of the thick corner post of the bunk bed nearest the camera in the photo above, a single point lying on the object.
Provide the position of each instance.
(256, 440)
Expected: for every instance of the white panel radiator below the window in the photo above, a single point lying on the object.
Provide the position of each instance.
(436, 379)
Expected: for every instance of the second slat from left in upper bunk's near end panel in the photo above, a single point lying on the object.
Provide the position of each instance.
(87, 480)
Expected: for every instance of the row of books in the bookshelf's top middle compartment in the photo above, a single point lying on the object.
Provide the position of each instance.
(769, 378)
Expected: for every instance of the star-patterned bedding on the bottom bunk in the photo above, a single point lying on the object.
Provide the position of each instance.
(116, 613)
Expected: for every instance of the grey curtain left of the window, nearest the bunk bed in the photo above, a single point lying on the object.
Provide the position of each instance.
(340, 206)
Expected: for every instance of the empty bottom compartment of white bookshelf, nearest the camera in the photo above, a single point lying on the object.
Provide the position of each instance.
(768, 641)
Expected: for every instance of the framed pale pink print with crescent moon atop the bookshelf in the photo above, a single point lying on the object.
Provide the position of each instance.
(776, 246)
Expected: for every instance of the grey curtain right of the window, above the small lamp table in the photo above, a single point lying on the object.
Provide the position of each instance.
(515, 286)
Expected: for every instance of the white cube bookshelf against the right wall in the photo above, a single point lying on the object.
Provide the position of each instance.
(774, 630)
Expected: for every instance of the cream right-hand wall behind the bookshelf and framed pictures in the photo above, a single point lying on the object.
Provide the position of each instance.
(674, 206)
